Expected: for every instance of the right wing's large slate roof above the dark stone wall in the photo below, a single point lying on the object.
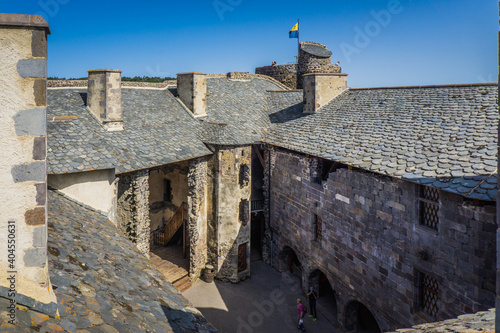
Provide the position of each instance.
(441, 136)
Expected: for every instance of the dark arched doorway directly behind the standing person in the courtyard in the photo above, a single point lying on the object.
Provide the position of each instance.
(326, 303)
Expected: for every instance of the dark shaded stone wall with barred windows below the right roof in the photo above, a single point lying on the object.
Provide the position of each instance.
(372, 246)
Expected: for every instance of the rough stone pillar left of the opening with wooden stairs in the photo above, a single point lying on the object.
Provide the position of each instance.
(133, 208)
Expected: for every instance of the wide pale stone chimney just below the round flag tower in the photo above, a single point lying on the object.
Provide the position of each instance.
(321, 88)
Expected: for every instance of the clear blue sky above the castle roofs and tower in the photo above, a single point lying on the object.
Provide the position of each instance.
(420, 42)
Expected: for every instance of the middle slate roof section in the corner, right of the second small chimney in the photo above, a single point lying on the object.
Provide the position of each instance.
(241, 107)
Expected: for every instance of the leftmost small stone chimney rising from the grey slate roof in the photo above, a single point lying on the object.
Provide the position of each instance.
(104, 97)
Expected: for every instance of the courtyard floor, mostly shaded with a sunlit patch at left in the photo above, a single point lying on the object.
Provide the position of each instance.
(264, 303)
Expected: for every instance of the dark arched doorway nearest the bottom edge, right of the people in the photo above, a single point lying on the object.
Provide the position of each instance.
(359, 319)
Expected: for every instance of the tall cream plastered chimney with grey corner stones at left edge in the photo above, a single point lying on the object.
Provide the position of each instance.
(23, 132)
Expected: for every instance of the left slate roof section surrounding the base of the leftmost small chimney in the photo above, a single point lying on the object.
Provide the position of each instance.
(157, 131)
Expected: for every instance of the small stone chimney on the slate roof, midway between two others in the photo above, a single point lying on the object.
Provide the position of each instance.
(192, 90)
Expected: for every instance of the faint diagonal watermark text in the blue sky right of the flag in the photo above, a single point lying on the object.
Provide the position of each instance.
(373, 28)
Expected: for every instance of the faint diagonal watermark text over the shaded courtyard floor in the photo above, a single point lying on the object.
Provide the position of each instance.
(266, 308)
